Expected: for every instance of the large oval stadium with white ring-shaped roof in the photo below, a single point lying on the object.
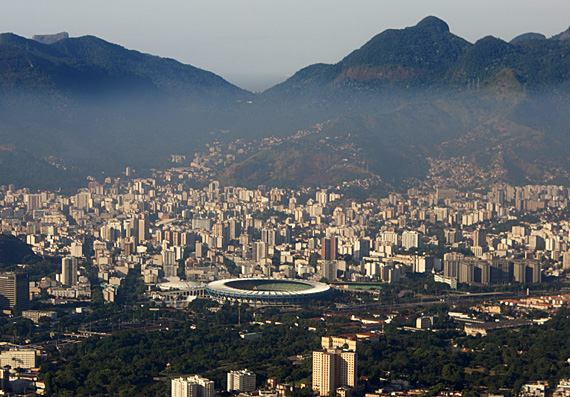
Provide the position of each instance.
(267, 291)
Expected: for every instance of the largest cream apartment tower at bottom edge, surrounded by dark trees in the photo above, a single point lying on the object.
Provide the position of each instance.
(333, 368)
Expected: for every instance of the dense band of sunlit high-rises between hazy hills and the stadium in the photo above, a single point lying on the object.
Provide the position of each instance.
(168, 230)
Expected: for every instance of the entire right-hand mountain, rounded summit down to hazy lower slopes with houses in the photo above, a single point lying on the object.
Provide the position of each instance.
(422, 104)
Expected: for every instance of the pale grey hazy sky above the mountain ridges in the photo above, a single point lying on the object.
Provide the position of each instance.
(257, 43)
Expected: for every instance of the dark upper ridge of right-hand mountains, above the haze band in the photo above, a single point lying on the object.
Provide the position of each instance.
(429, 55)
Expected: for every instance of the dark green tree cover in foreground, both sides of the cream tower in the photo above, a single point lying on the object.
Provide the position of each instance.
(141, 363)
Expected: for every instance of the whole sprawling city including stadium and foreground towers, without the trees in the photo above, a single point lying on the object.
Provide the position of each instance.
(484, 251)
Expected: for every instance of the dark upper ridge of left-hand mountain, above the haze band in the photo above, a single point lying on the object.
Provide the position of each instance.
(89, 62)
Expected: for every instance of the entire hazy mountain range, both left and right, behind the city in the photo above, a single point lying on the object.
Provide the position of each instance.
(416, 105)
